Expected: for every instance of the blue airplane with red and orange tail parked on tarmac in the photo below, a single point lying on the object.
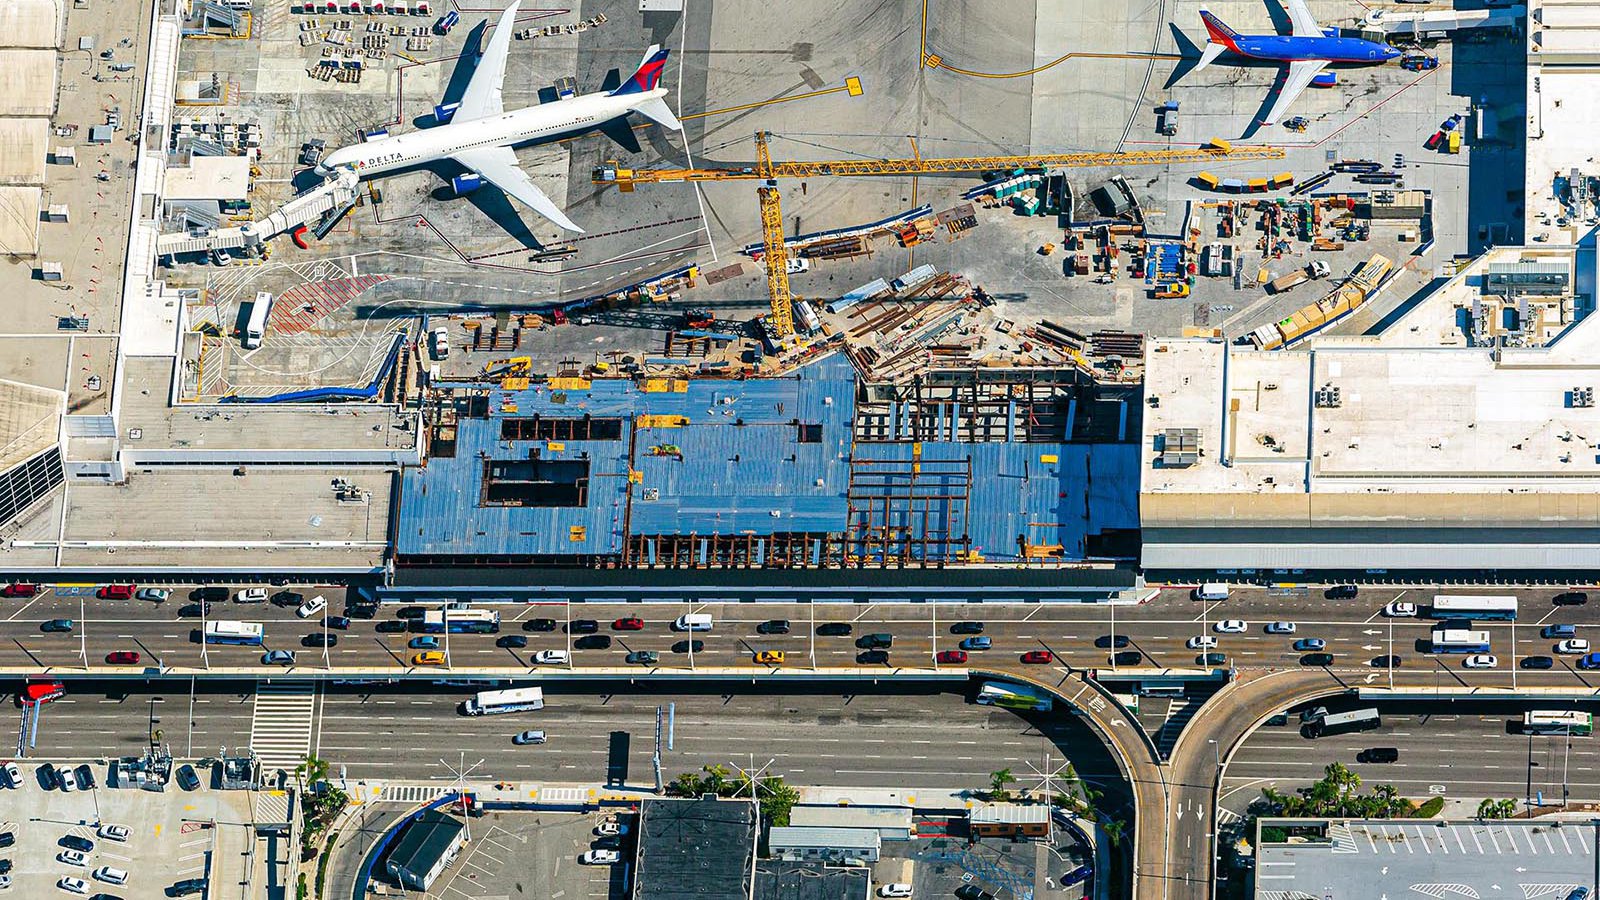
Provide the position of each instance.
(1308, 49)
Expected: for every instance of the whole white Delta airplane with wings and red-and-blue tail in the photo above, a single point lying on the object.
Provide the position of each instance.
(482, 135)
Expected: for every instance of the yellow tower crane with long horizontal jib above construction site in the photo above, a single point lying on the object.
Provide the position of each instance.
(769, 172)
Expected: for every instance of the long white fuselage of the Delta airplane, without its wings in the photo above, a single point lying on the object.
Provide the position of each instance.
(529, 126)
